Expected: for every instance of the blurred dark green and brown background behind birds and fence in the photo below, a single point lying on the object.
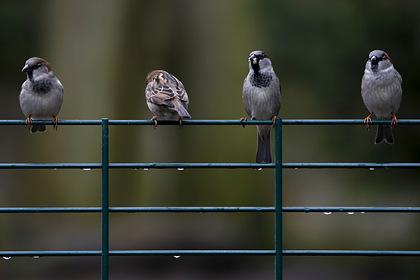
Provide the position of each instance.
(102, 50)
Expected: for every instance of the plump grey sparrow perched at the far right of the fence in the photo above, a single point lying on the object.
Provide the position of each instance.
(381, 93)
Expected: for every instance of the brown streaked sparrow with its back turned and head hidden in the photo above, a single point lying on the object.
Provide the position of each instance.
(166, 97)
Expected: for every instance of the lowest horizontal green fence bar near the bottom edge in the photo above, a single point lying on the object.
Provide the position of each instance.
(178, 253)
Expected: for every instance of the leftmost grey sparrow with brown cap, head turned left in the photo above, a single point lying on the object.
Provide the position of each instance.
(41, 95)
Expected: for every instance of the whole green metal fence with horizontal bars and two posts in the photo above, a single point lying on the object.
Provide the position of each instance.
(277, 252)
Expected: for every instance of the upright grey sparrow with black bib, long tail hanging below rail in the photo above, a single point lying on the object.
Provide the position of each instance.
(261, 97)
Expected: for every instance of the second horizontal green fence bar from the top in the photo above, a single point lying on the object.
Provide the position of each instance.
(181, 166)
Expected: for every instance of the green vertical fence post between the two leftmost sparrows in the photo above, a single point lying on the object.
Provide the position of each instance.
(105, 201)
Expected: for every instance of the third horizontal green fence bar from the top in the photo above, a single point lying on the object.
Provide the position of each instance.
(243, 209)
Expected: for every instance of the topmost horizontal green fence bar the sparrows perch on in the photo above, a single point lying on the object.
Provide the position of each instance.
(216, 122)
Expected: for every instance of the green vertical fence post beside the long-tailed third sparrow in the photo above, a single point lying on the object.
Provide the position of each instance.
(278, 202)
